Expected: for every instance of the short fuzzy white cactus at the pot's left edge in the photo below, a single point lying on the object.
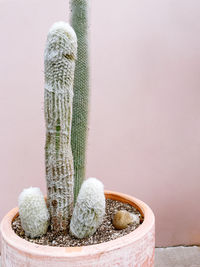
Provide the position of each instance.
(33, 212)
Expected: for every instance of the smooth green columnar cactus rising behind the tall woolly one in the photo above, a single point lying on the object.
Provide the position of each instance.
(79, 22)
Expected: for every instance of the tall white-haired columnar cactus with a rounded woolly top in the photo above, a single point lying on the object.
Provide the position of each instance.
(59, 62)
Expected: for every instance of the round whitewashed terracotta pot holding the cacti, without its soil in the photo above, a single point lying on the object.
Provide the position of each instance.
(135, 249)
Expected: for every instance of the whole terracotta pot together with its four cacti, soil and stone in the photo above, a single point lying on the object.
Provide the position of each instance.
(69, 227)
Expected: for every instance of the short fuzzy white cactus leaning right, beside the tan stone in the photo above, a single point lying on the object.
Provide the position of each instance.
(89, 209)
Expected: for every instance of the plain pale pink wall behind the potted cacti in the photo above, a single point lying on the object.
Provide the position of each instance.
(144, 134)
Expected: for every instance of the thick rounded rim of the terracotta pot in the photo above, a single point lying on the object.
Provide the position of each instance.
(28, 248)
